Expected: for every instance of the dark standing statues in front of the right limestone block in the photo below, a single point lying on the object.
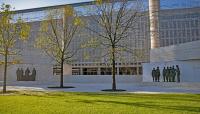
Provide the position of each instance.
(170, 74)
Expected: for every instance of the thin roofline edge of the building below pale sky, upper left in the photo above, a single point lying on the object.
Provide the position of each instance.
(53, 7)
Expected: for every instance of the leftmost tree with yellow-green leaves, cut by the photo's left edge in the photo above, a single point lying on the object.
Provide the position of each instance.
(12, 30)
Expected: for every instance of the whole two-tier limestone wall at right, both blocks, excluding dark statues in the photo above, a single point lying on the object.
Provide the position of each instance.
(186, 55)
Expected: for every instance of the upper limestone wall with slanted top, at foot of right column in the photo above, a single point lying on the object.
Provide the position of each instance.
(186, 51)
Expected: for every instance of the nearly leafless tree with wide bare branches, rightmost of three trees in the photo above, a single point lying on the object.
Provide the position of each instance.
(115, 19)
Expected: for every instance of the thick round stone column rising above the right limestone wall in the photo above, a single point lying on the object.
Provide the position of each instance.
(154, 7)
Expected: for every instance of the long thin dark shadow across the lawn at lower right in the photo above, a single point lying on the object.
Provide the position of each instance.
(146, 105)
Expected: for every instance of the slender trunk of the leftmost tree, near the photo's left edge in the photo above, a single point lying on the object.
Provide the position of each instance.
(5, 71)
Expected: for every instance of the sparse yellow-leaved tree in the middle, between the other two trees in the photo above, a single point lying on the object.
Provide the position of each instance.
(56, 34)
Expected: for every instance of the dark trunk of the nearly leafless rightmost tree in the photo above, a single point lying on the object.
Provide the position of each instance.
(113, 70)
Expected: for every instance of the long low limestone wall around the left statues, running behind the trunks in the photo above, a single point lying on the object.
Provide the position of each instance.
(45, 76)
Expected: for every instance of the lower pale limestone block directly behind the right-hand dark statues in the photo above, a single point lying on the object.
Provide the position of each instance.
(190, 70)
